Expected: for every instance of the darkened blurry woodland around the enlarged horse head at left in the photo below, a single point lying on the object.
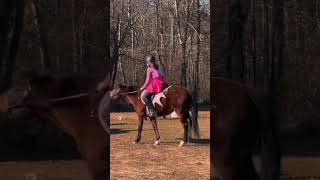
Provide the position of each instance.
(62, 38)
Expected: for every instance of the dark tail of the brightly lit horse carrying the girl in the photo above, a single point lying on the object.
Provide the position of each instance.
(193, 122)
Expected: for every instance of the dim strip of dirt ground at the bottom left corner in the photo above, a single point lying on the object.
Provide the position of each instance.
(44, 170)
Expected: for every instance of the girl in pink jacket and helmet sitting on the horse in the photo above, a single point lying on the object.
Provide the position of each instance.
(153, 85)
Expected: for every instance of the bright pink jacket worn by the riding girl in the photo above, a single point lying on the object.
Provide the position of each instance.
(154, 81)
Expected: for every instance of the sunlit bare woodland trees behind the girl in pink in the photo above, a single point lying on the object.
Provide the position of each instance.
(177, 32)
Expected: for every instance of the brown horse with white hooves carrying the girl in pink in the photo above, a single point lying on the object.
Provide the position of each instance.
(177, 99)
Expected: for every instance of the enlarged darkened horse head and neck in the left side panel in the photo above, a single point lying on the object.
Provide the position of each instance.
(77, 107)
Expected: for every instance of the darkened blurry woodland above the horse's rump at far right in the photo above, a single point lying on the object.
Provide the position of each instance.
(273, 46)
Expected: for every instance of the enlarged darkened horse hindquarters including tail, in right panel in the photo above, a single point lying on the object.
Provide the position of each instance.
(241, 121)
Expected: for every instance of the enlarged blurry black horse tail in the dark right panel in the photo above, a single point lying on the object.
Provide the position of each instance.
(269, 143)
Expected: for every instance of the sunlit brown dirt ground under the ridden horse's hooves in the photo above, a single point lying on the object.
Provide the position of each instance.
(167, 161)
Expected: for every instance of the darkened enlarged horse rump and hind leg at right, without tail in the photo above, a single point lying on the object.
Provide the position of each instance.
(234, 129)
